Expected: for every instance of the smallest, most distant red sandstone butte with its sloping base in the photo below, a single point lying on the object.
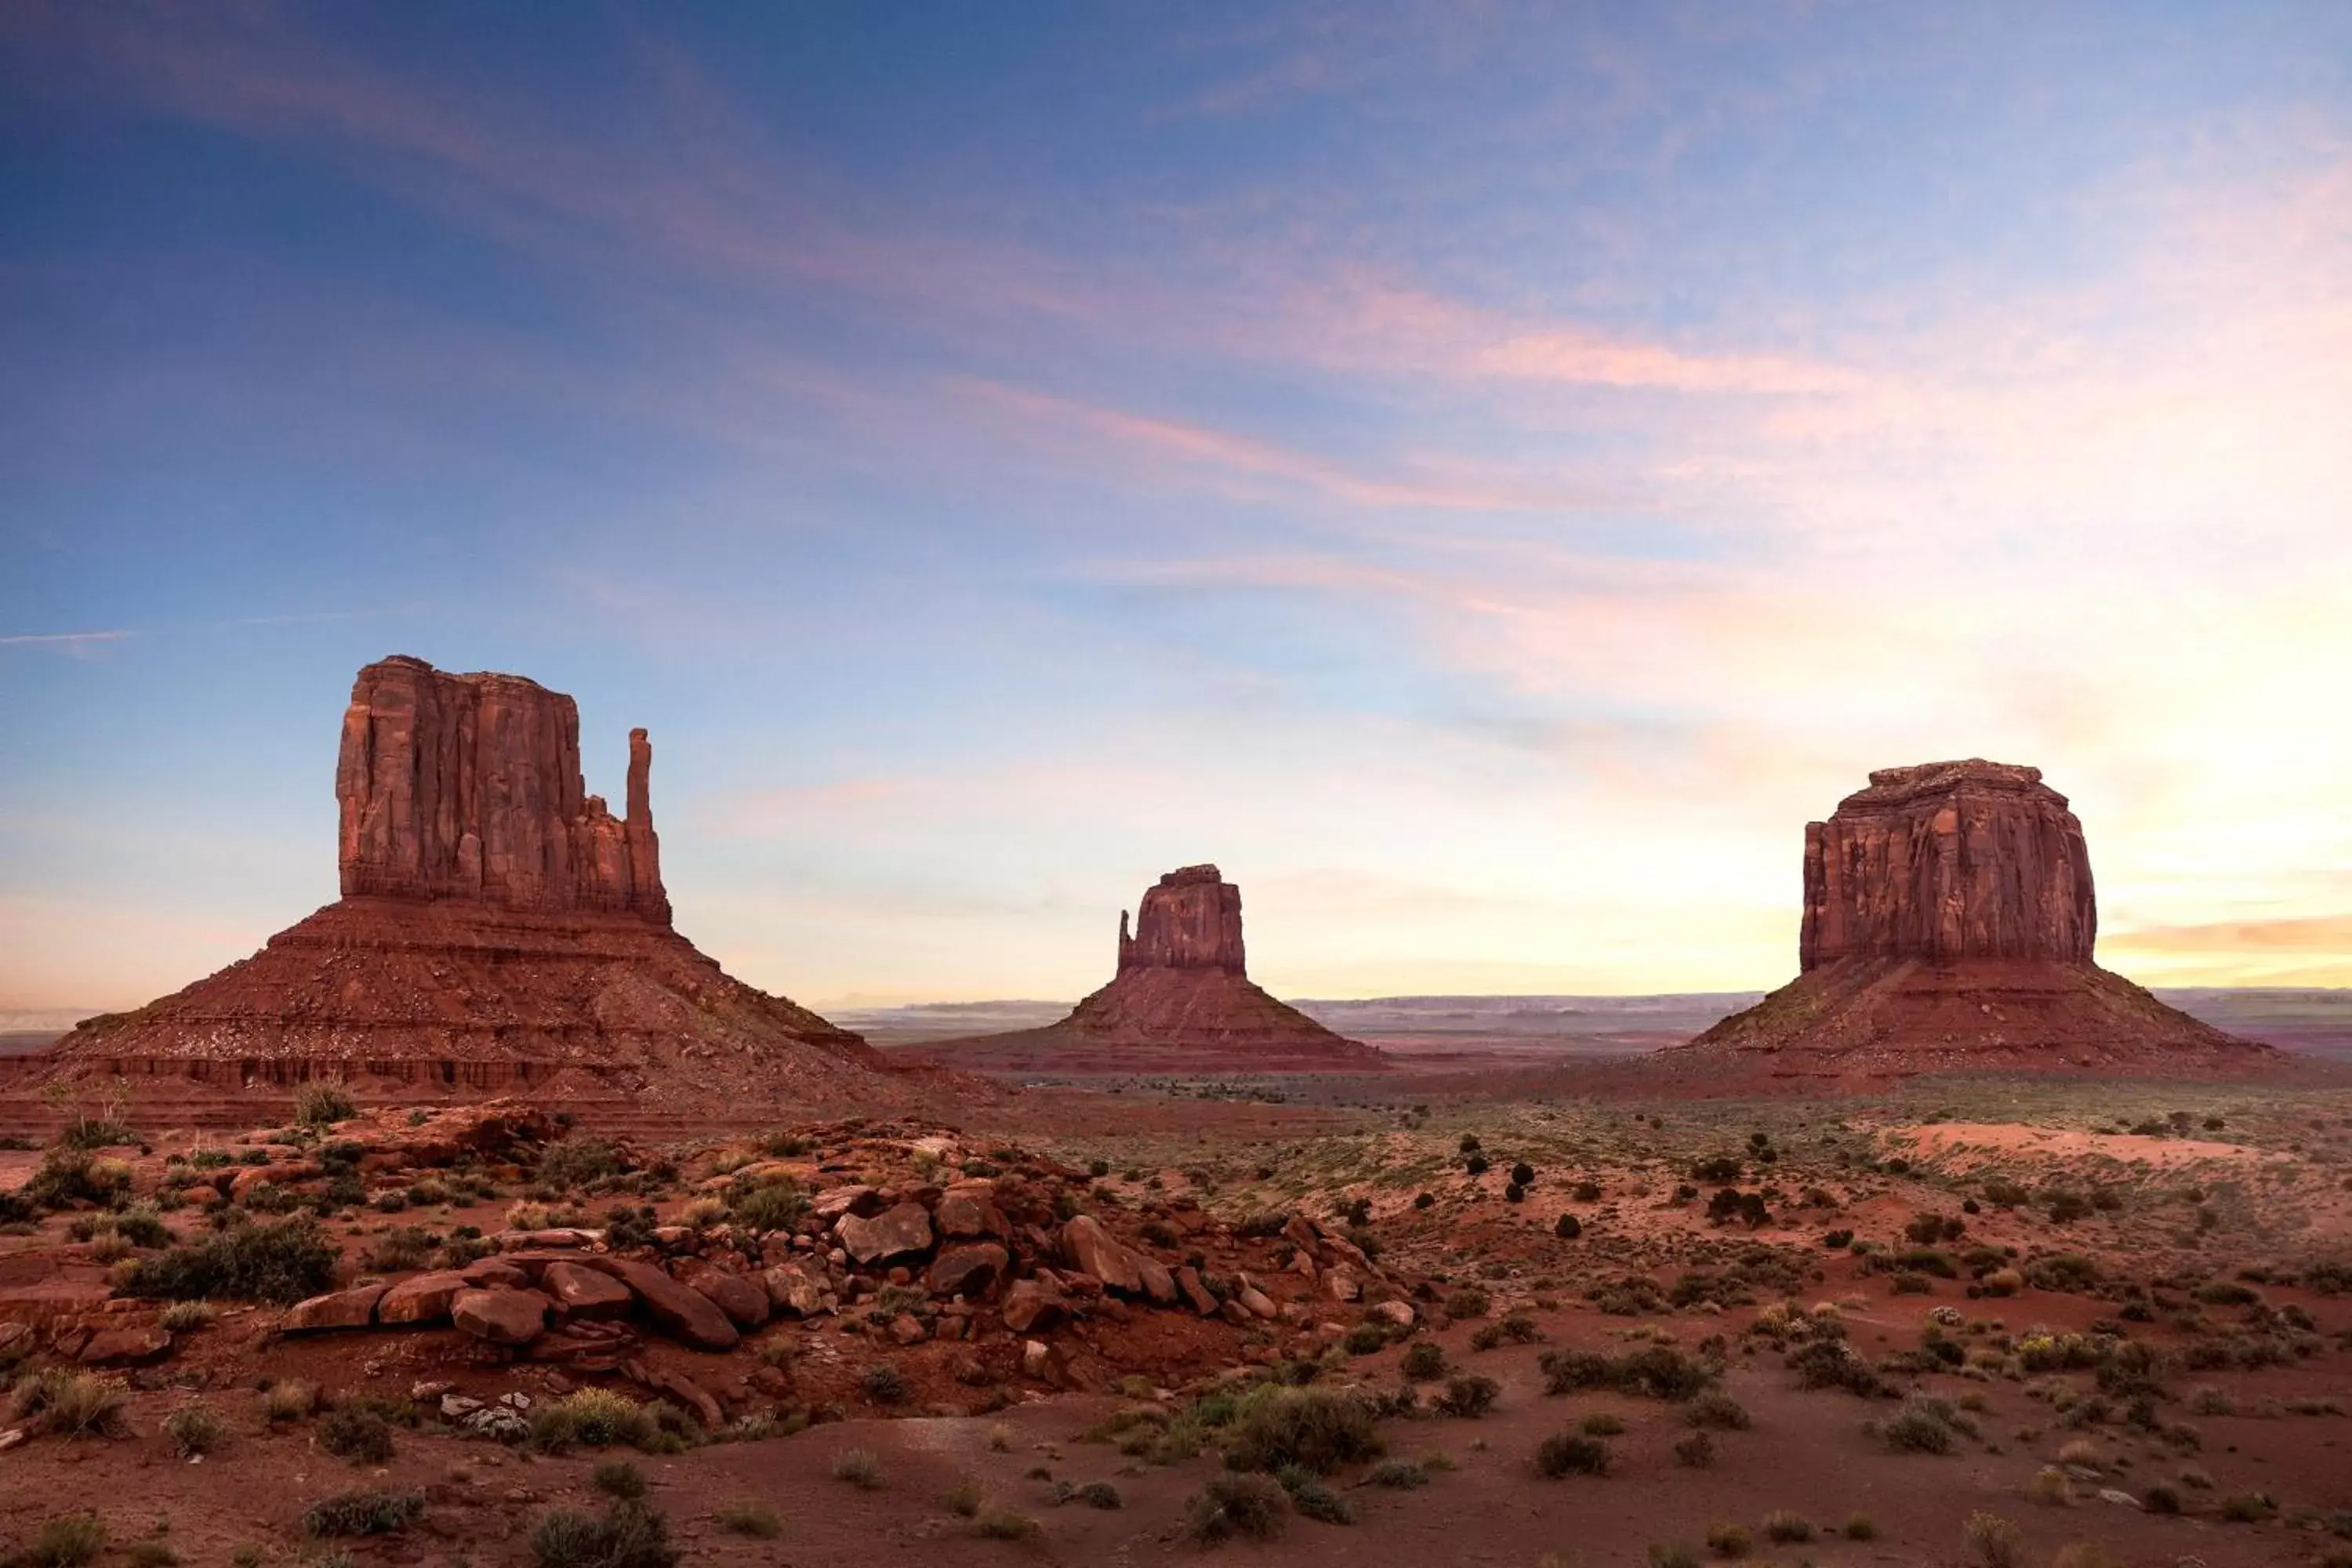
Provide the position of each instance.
(1180, 1003)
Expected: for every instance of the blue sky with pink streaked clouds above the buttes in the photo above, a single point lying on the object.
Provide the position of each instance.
(1485, 476)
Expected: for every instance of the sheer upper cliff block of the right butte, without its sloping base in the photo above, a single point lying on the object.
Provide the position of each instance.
(1949, 862)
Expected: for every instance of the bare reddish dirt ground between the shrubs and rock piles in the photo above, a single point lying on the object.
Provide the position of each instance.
(2205, 1226)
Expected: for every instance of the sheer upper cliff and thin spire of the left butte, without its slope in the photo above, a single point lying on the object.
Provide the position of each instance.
(469, 789)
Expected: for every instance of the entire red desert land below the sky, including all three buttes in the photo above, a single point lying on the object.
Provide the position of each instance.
(481, 1219)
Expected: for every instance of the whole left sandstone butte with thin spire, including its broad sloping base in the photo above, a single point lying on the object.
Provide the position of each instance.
(500, 930)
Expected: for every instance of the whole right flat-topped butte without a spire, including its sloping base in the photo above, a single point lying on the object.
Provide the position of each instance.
(1949, 925)
